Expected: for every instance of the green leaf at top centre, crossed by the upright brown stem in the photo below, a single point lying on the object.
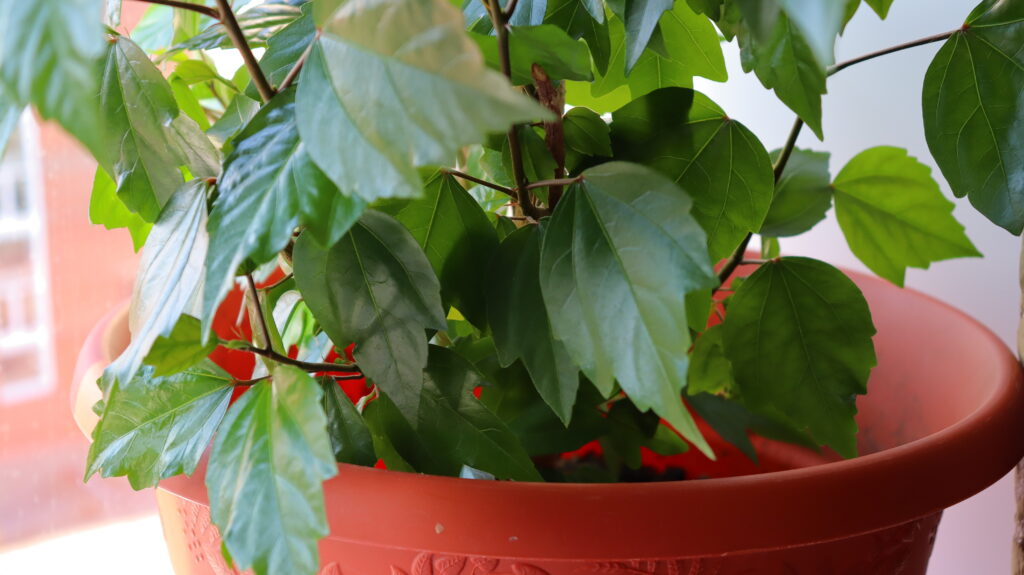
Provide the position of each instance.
(560, 56)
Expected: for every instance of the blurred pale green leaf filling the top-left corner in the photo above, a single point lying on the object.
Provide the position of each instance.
(50, 52)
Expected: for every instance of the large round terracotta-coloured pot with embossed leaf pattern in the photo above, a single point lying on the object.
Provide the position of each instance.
(944, 420)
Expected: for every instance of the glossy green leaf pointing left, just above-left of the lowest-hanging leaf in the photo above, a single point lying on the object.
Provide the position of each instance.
(153, 428)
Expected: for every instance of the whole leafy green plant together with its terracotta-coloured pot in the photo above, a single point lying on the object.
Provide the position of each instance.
(511, 243)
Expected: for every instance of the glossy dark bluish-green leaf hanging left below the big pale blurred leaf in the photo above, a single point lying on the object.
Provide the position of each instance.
(270, 187)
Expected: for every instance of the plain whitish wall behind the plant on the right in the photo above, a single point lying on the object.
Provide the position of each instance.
(879, 103)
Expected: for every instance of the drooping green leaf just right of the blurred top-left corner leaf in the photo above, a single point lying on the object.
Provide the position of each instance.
(148, 142)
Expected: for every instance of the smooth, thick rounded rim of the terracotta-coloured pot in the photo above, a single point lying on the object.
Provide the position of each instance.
(607, 522)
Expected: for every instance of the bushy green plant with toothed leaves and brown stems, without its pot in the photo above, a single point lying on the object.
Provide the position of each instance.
(472, 238)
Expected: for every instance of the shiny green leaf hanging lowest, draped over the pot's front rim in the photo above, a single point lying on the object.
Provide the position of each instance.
(266, 476)
